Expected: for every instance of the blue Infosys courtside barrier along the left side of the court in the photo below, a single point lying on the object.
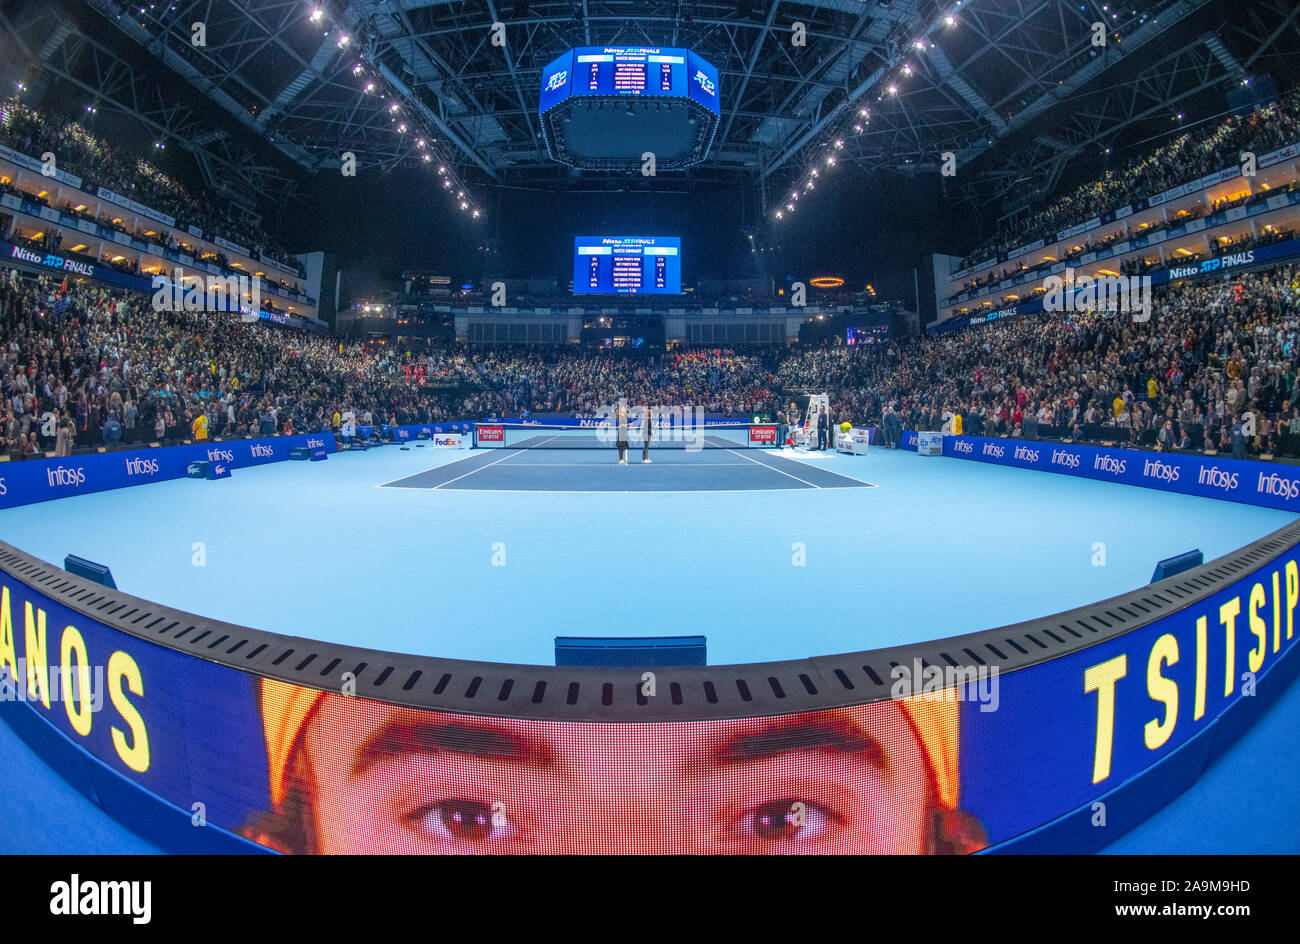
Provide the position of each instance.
(42, 480)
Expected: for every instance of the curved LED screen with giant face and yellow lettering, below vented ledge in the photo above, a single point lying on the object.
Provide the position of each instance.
(964, 759)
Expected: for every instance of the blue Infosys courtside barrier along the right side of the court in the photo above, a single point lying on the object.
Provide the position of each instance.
(1253, 483)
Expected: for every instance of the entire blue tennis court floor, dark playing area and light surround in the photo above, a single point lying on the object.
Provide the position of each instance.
(489, 555)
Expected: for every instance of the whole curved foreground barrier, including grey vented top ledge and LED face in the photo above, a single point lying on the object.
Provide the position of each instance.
(998, 741)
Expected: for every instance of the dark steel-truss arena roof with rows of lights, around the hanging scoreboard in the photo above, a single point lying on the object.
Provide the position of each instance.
(1012, 89)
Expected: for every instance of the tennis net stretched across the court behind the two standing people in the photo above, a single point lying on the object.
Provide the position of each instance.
(605, 436)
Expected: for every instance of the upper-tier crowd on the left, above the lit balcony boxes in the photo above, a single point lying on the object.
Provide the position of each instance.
(101, 166)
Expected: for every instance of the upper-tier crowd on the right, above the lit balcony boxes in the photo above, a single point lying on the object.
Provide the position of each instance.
(1185, 159)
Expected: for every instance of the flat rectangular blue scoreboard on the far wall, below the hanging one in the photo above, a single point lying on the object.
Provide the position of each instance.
(627, 266)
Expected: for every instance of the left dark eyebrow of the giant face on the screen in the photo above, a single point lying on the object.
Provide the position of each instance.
(483, 742)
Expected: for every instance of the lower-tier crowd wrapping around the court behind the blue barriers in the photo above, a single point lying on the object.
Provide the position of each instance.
(1215, 369)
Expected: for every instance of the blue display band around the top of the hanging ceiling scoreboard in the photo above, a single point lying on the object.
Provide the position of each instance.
(630, 71)
